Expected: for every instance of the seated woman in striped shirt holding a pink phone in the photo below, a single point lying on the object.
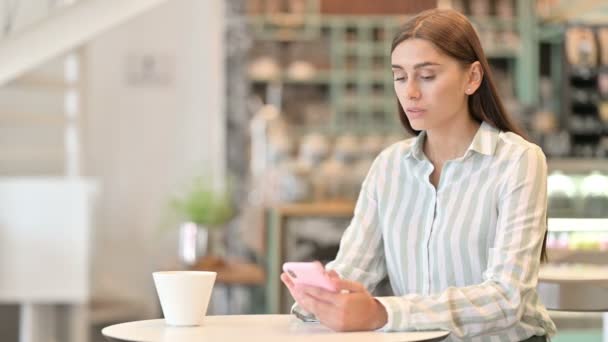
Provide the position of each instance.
(455, 217)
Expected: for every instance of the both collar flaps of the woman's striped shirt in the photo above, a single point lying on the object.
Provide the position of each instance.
(484, 142)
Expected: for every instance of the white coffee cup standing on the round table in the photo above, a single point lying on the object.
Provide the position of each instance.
(184, 295)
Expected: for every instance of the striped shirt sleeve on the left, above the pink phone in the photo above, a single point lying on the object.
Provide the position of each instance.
(360, 257)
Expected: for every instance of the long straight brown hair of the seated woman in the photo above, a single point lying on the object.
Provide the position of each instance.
(453, 34)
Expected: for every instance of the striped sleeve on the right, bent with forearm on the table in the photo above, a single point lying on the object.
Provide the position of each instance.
(511, 274)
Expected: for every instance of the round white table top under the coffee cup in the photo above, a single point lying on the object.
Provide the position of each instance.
(267, 328)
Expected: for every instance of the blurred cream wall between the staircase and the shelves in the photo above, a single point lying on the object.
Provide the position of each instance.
(143, 140)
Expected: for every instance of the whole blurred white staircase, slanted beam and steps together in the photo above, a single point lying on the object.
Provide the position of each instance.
(41, 79)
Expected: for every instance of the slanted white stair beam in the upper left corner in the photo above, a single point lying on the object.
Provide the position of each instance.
(64, 27)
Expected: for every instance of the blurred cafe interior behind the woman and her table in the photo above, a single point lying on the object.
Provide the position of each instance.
(233, 135)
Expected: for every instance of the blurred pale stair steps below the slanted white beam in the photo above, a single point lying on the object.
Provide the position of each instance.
(40, 120)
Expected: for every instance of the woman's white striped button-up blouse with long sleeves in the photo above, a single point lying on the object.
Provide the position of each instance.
(463, 257)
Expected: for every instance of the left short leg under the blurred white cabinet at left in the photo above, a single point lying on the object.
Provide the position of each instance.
(37, 323)
